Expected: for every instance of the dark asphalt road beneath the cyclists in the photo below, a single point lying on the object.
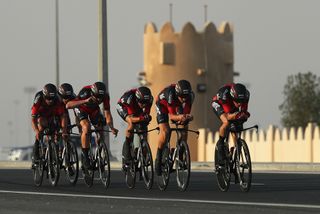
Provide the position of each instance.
(270, 193)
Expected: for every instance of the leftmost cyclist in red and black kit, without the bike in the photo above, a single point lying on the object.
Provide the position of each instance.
(46, 106)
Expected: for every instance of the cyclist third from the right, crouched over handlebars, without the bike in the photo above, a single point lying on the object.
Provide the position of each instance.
(134, 107)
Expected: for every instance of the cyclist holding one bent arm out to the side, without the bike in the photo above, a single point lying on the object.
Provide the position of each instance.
(87, 109)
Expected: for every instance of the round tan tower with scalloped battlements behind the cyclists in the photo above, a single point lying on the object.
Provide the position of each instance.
(203, 58)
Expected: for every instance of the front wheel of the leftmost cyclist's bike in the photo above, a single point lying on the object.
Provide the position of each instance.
(53, 165)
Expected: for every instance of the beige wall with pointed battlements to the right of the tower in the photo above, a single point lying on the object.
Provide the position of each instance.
(272, 145)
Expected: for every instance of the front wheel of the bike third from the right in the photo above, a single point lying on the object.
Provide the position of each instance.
(147, 165)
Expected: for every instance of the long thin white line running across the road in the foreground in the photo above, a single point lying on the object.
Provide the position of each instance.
(260, 204)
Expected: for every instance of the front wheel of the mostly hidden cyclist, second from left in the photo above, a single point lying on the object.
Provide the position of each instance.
(71, 163)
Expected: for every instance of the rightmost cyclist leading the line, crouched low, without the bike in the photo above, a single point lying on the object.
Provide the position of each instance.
(230, 103)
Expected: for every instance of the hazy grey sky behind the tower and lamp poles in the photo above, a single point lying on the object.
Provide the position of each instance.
(272, 39)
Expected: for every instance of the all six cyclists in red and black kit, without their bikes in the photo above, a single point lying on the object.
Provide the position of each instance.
(173, 103)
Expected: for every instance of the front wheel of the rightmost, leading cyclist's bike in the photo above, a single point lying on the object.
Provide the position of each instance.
(243, 165)
